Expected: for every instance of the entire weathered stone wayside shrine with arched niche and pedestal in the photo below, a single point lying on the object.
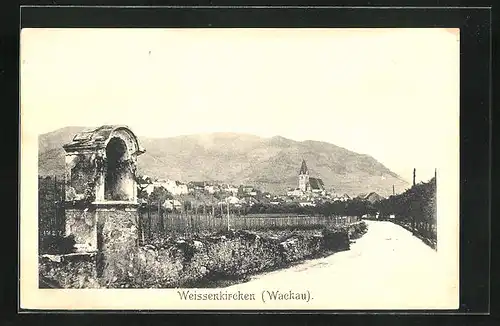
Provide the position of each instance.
(101, 193)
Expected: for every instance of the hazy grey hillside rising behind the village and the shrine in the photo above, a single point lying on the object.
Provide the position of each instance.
(269, 163)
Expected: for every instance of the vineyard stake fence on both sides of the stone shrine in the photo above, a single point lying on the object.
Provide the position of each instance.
(156, 221)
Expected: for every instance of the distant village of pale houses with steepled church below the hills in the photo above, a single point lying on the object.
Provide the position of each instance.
(178, 196)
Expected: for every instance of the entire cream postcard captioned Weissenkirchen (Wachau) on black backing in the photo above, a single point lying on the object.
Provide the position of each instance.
(240, 168)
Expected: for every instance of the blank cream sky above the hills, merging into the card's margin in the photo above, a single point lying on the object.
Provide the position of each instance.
(389, 93)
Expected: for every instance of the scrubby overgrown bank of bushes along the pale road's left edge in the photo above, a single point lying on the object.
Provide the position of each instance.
(208, 260)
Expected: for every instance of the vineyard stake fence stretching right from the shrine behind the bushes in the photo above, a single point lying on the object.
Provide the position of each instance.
(155, 221)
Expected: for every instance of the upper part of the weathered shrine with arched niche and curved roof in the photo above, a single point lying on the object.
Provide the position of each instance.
(104, 160)
